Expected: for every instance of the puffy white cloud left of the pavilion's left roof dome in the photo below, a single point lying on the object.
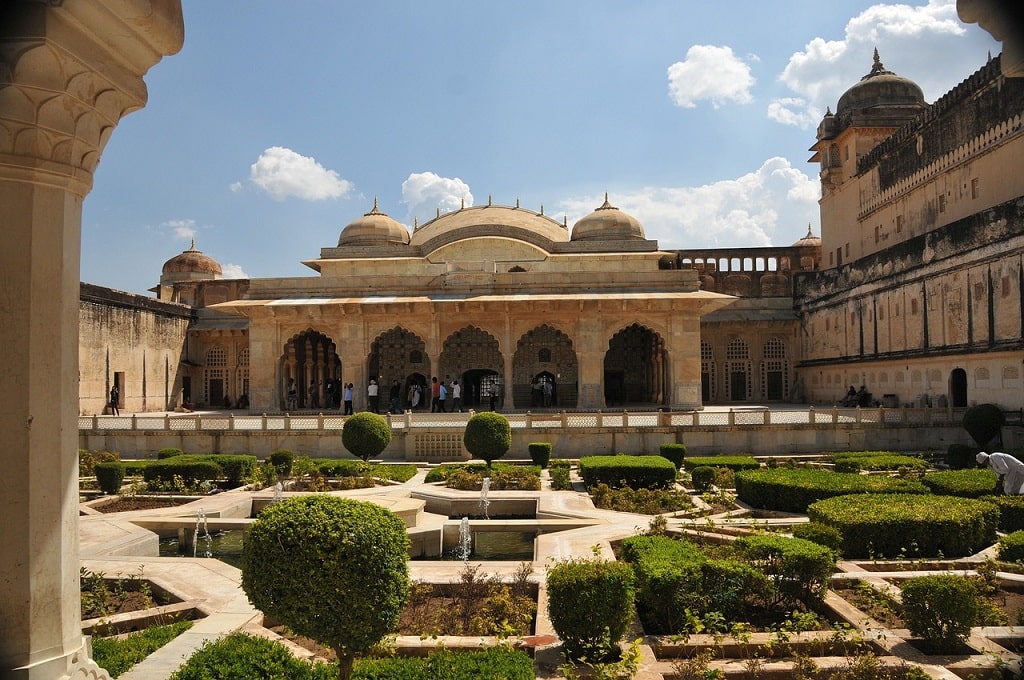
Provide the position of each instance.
(285, 175)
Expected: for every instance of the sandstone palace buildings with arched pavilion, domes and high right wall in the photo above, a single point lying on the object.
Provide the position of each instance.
(913, 291)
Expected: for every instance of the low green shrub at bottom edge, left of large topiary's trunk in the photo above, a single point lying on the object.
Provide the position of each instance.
(245, 656)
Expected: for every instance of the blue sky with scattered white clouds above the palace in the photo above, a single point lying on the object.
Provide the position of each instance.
(279, 123)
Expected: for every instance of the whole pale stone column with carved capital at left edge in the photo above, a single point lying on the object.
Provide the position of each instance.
(69, 72)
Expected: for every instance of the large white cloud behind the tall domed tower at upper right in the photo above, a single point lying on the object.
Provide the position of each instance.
(926, 44)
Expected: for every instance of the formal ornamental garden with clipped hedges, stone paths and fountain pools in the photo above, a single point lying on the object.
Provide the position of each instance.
(524, 565)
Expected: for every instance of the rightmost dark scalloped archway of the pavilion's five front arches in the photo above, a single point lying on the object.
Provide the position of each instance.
(635, 368)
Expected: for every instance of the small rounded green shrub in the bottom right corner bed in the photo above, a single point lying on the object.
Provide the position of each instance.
(942, 610)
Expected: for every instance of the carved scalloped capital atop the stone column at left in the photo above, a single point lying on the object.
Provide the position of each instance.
(69, 72)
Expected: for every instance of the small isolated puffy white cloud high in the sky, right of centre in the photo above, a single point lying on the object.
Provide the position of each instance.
(710, 73)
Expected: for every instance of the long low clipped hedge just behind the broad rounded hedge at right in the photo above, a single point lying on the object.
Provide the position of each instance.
(795, 490)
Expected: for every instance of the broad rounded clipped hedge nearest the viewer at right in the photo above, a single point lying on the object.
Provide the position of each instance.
(911, 525)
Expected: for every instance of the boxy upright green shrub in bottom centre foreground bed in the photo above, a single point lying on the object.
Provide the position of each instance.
(590, 604)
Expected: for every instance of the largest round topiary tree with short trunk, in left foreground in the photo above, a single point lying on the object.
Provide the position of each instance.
(331, 569)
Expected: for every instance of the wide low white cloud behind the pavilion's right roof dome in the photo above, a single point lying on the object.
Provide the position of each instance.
(774, 205)
